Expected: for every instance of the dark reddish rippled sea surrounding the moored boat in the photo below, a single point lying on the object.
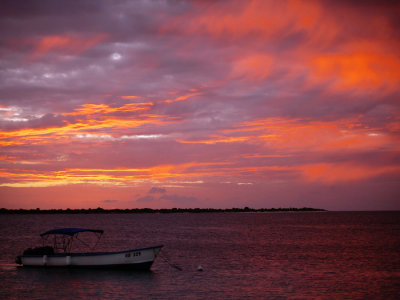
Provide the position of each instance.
(326, 255)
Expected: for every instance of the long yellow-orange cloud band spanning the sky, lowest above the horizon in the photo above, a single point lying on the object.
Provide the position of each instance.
(195, 172)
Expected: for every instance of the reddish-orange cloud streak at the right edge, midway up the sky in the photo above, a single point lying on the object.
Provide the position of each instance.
(291, 135)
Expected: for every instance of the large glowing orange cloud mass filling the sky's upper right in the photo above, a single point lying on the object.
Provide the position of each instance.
(341, 46)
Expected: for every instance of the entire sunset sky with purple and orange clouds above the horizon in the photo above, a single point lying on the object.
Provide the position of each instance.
(132, 104)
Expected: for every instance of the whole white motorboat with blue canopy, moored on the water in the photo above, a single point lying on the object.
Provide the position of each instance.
(60, 255)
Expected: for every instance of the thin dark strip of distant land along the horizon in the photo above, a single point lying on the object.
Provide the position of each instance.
(100, 210)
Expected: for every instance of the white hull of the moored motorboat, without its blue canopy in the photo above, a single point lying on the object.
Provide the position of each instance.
(135, 259)
